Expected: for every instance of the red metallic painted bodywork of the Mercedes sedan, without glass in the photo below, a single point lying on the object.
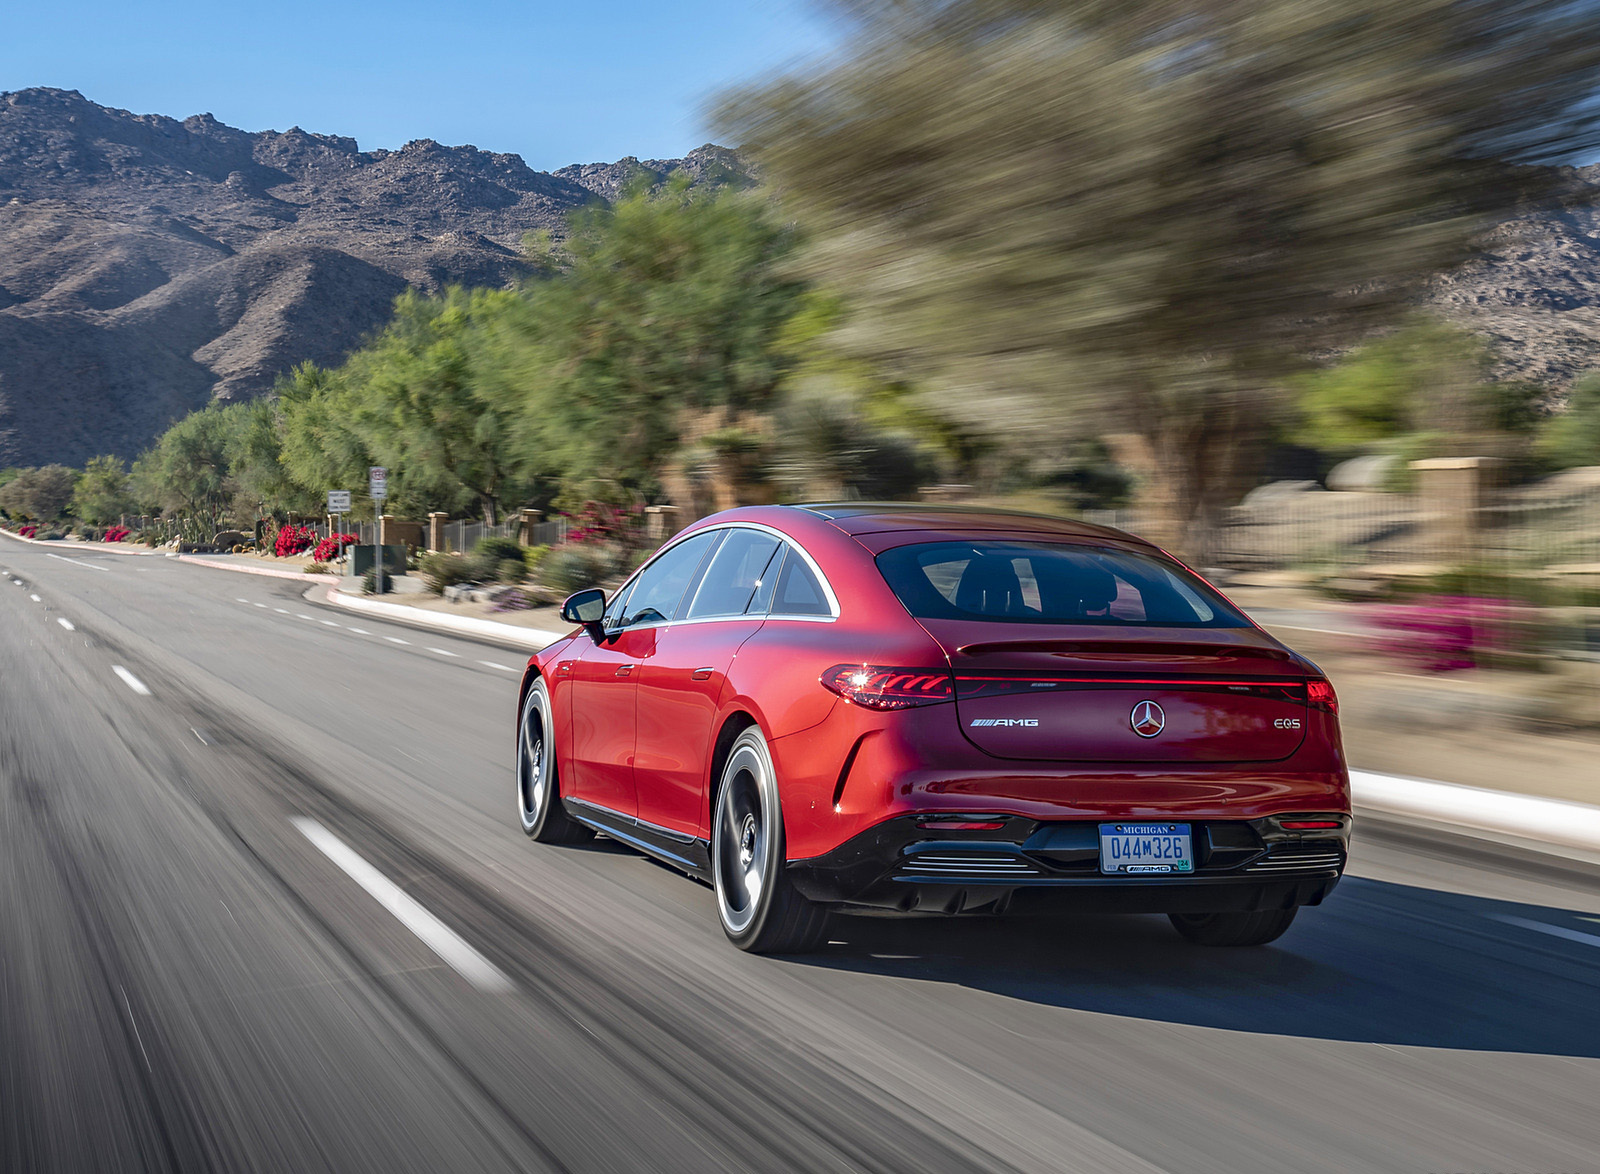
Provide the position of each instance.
(919, 761)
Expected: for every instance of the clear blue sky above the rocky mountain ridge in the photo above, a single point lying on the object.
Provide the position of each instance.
(553, 82)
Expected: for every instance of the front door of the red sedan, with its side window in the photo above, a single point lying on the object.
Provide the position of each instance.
(606, 679)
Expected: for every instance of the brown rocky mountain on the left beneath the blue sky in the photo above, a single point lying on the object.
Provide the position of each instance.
(150, 265)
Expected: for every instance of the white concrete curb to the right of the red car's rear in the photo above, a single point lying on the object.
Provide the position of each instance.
(1495, 812)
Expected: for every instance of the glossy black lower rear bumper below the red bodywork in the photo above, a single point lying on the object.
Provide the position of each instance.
(1031, 866)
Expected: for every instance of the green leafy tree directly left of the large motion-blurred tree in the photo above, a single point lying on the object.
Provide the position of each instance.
(663, 305)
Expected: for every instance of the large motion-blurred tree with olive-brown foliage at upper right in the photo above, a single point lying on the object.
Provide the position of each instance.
(1142, 215)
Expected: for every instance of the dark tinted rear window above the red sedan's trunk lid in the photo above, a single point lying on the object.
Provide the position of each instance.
(1050, 583)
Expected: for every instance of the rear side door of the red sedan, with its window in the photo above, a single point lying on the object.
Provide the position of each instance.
(681, 687)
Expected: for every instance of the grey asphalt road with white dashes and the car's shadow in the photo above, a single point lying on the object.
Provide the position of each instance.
(265, 906)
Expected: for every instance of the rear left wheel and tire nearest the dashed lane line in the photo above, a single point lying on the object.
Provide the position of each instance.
(759, 908)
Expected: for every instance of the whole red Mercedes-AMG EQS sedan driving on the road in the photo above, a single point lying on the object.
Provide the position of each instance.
(938, 711)
